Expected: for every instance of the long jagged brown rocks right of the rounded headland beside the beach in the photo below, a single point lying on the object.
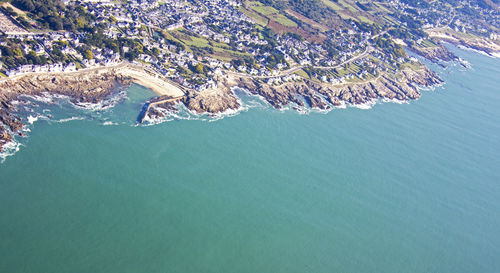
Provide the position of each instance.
(315, 95)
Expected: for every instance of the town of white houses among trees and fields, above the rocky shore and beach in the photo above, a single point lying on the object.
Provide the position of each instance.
(195, 43)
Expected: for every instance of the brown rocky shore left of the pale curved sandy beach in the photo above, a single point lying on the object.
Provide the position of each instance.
(91, 87)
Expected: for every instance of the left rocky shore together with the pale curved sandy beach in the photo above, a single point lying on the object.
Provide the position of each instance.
(91, 85)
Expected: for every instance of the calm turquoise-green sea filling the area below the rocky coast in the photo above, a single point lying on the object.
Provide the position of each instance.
(398, 188)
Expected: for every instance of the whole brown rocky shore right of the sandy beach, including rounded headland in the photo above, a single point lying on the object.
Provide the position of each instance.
(306, 93)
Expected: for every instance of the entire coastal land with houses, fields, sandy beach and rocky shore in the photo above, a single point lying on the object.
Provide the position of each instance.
(319, 53)
